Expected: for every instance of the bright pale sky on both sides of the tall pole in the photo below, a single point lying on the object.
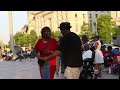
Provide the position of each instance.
(19, 20)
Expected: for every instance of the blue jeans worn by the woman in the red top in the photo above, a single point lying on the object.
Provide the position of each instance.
(45, 71)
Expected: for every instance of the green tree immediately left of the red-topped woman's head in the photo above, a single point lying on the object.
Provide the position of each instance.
(33, 38)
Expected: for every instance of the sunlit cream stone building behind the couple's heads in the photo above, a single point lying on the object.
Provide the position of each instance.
(53, 19)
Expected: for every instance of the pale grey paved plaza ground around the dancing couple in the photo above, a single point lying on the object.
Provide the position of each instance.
(28, 69)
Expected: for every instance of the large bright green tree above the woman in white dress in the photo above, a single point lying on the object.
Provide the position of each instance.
(104, 27)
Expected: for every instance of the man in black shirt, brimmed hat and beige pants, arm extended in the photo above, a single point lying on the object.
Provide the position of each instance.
(70, 47)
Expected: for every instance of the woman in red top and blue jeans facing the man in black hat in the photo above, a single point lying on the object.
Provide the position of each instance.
(45, 47)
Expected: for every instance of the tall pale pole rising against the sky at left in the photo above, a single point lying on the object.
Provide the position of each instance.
(11, 31)
